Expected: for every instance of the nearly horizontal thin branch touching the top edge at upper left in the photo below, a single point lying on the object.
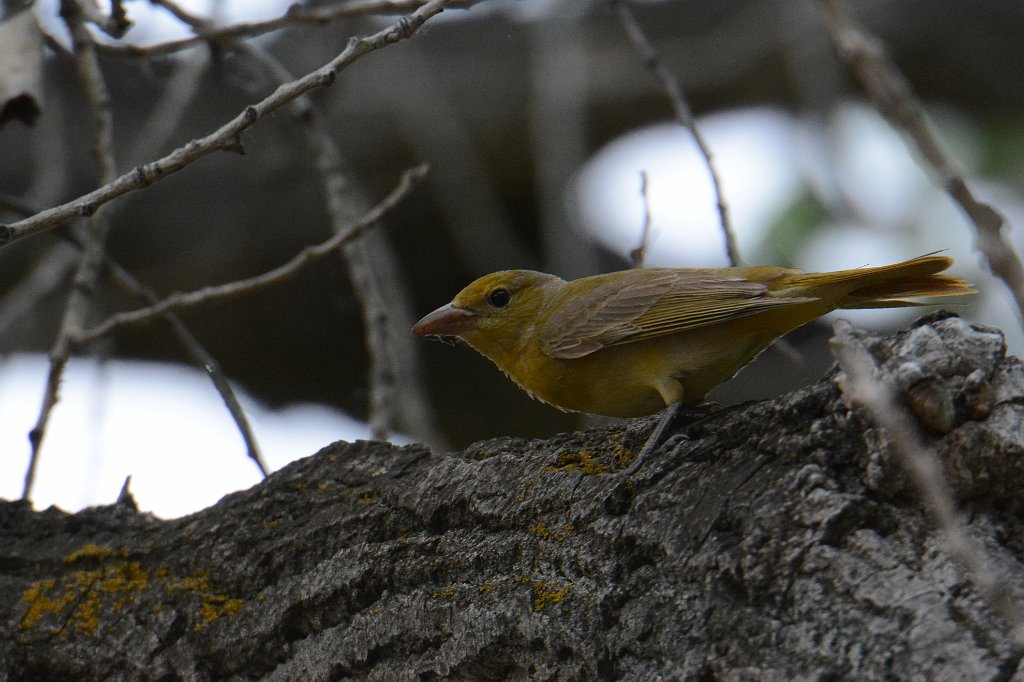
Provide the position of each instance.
(296, 15)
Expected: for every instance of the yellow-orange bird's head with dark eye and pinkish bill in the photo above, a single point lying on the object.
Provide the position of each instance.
(494, 314)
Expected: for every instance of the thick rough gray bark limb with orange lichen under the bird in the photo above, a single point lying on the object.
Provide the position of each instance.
(777, 541)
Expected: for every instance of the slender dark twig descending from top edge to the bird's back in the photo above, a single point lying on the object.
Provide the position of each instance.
(685, 116)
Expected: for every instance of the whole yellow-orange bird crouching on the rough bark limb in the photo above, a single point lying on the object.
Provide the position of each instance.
(630, 344)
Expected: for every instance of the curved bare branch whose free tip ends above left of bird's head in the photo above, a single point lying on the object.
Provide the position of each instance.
(302, 261)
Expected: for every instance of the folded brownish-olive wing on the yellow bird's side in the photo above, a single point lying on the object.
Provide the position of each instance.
(643, 305)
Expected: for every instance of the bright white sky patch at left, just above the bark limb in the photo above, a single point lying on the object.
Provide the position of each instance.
(163, 424)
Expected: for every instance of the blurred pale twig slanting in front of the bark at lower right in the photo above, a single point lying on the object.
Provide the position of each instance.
(863, 386)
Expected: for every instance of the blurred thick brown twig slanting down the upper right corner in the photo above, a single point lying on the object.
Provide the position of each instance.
(897, 102)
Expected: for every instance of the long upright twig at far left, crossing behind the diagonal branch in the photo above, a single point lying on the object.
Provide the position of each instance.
(96, 234)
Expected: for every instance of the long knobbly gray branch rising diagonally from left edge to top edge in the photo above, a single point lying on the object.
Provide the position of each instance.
(228, 137)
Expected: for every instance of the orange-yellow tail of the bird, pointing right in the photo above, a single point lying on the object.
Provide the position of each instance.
(888, 286)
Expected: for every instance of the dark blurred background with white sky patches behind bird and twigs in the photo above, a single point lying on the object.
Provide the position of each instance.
(537, 118)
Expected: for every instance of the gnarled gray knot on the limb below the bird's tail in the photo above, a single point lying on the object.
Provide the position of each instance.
(955, 379)
